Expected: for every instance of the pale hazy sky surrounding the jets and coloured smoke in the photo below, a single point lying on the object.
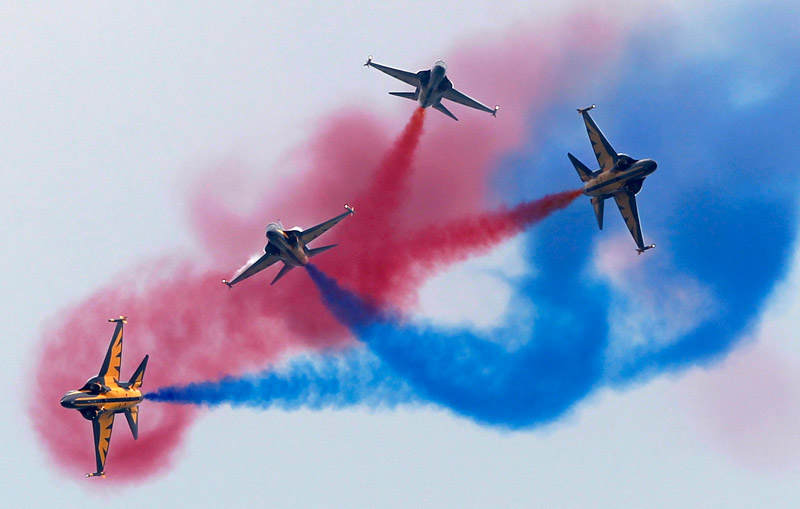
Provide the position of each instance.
(107, 114)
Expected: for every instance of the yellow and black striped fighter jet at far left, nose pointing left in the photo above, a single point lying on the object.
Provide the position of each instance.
(103, 396)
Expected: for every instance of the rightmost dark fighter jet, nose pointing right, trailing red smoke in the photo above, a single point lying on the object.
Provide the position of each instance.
(619, 177)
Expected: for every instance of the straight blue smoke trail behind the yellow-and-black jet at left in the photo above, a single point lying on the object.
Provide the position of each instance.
(318, 382)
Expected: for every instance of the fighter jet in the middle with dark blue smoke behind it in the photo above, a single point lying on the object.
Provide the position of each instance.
(289, 247)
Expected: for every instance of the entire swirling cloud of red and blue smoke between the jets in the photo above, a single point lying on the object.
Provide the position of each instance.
(722, 208)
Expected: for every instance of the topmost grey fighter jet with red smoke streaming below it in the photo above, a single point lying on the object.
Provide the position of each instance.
(431, 86)
